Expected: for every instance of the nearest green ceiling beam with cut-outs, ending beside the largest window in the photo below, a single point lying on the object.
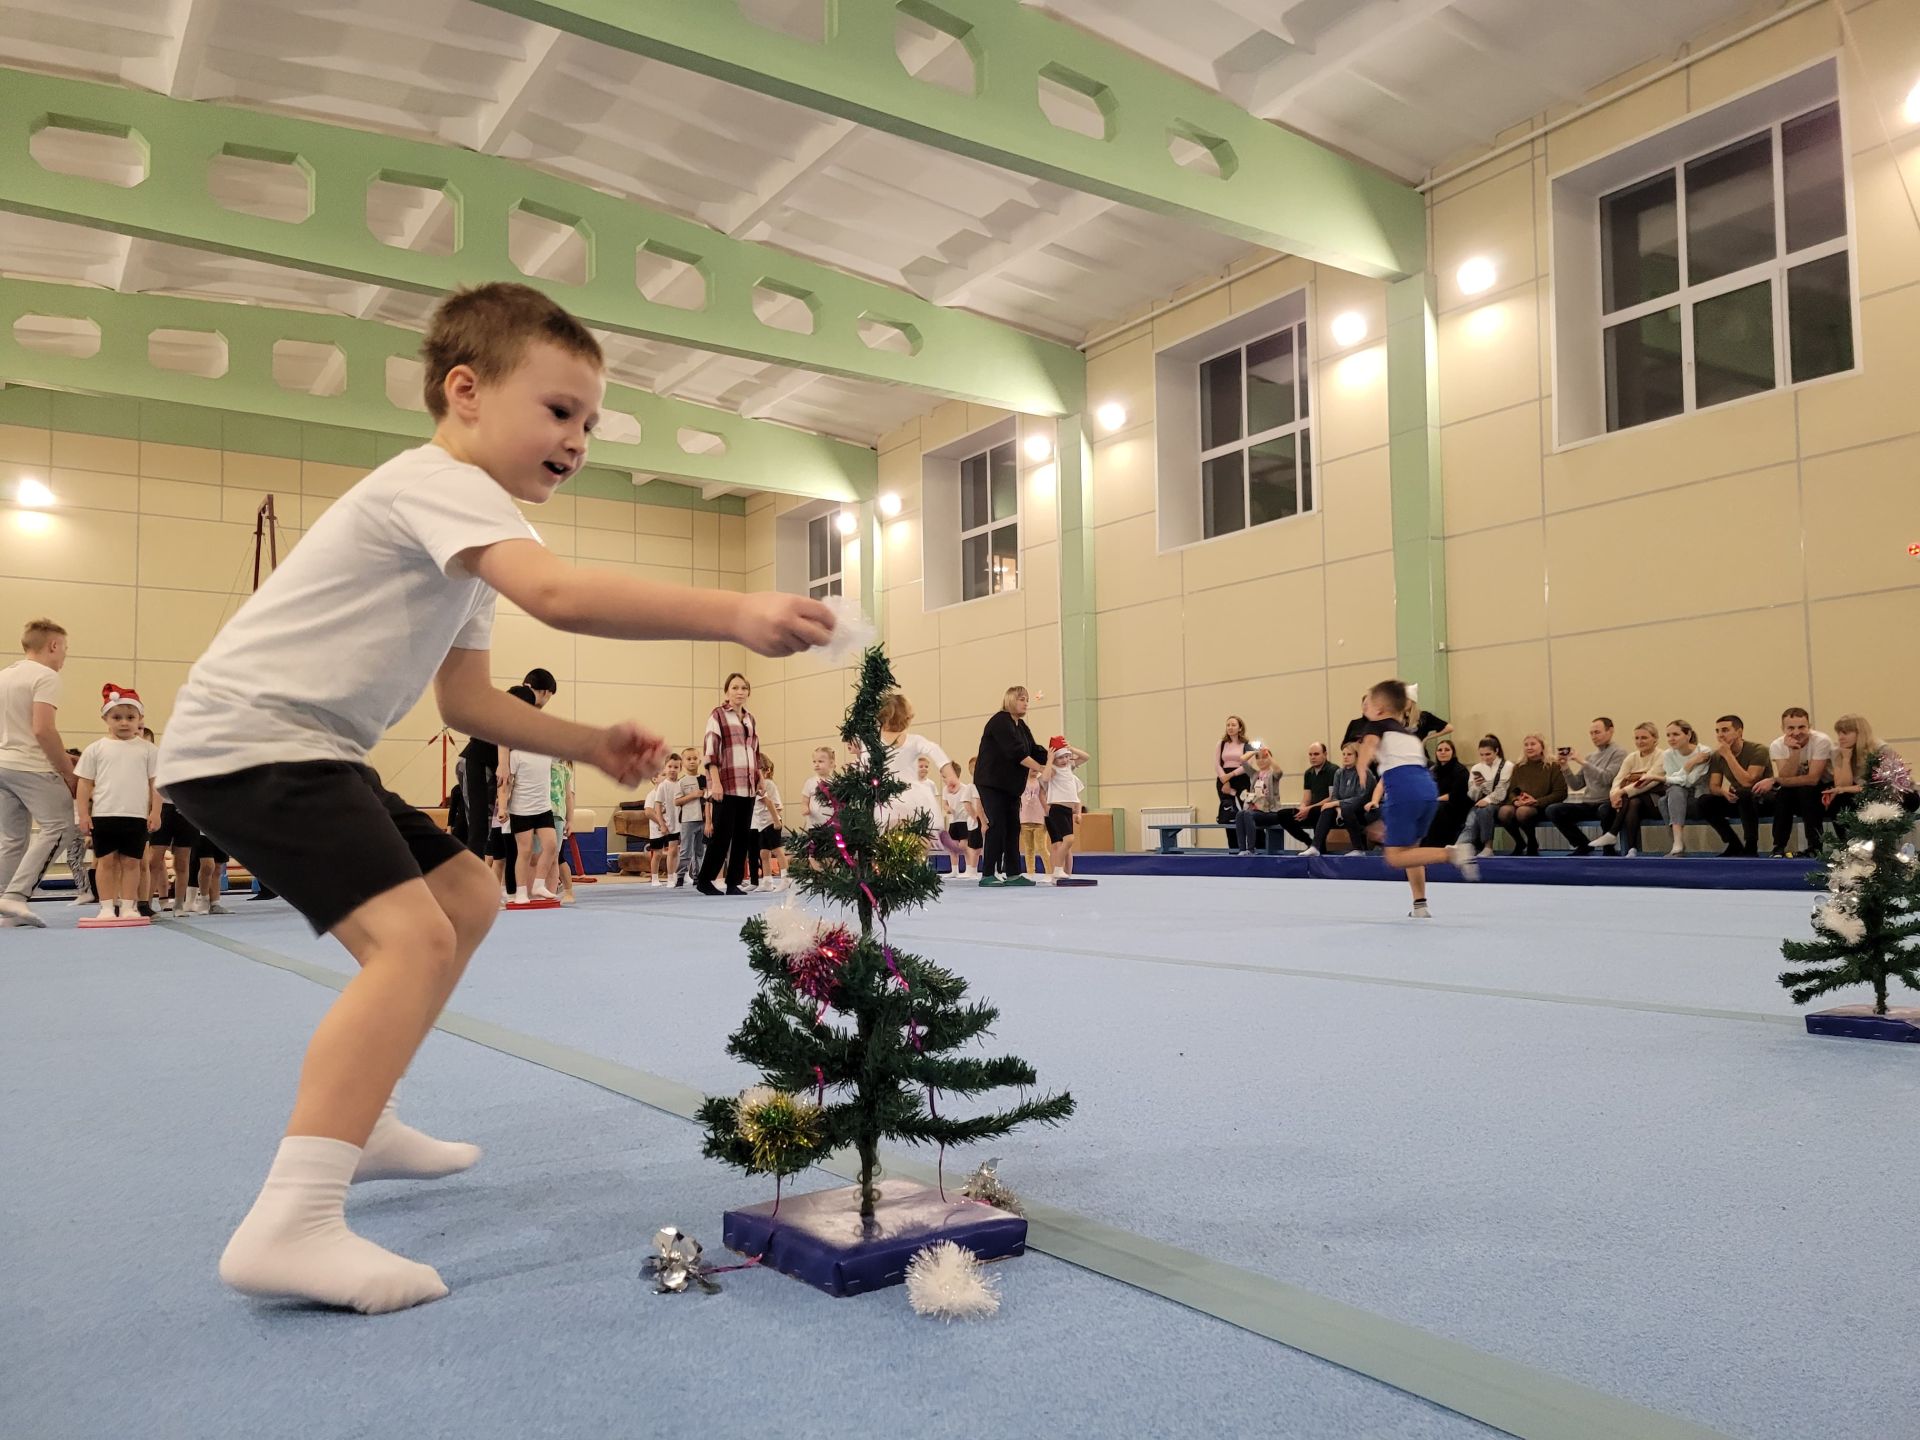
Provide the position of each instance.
(1272, 187)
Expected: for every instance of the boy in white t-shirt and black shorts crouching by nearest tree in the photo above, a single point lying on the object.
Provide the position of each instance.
(268, 750)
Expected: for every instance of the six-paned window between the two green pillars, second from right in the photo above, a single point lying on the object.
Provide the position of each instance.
(1257, 450)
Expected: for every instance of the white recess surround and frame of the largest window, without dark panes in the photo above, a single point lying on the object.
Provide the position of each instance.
(1579, 372)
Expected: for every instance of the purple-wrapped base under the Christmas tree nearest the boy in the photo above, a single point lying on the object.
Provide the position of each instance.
(821, 1237)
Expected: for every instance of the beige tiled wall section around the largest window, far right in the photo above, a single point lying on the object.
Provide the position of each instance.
(1742, 560)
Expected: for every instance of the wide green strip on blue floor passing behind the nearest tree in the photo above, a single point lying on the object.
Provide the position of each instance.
(1514, 1399)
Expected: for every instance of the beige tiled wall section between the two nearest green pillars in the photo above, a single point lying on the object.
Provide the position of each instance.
(1284, 625)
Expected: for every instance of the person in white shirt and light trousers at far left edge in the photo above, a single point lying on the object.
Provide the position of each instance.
(36, 771)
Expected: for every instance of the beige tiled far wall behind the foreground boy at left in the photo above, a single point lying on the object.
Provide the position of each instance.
(153, 548)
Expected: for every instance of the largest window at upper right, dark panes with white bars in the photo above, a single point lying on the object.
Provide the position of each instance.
(1727, 274)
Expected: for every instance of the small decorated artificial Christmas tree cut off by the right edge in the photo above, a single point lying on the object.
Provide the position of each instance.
(1867, 926)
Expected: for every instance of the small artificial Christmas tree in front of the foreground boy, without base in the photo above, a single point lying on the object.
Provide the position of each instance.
(855, 1038)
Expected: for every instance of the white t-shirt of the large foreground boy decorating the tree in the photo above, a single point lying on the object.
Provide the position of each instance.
(343, 640)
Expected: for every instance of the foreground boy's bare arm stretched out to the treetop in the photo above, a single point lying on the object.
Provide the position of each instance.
(623, 608)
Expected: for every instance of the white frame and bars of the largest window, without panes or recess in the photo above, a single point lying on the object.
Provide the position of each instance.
(1773, 270)
